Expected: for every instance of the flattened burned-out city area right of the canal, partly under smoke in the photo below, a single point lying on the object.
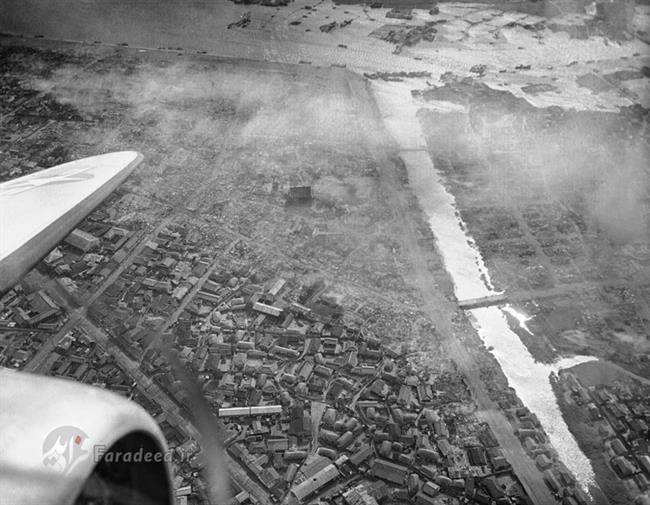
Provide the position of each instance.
(555, 200)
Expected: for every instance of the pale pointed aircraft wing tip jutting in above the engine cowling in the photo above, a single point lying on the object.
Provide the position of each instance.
(40, 209)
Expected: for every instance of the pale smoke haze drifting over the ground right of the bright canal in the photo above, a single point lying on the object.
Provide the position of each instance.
(594, 163)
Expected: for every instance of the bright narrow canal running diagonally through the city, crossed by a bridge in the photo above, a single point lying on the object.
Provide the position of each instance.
(471, 279)
